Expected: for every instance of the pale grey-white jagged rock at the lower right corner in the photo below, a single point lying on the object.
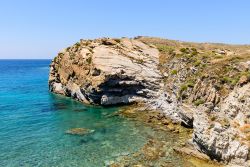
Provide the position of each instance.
(226, 137)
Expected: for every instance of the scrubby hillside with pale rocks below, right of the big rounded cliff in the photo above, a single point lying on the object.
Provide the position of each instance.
(210, 85)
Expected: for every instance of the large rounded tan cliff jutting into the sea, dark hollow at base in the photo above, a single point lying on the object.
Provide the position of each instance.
(106, 71)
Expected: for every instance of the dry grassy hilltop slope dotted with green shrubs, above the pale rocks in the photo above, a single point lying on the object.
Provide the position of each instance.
(214, 61)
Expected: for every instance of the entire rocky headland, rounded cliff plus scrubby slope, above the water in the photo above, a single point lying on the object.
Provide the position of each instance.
(201, 86)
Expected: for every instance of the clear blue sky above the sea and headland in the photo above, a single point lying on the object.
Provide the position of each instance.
(40, 28)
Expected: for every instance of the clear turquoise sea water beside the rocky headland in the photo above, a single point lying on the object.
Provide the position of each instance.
(33, 122)
